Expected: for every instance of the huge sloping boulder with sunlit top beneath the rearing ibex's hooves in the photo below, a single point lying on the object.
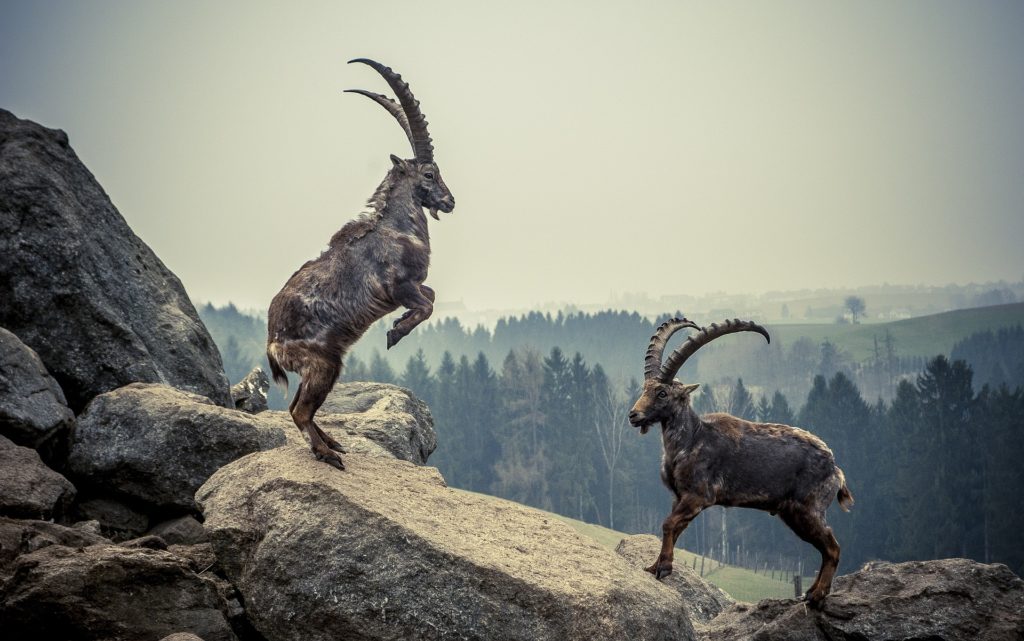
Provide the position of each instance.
(385, 550)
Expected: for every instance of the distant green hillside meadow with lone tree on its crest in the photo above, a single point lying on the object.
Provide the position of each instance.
(923, 336)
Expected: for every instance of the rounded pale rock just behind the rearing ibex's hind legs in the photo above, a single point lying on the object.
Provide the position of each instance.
(389, 415)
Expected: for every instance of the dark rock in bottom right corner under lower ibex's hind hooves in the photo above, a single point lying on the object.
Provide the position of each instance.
(948, 600)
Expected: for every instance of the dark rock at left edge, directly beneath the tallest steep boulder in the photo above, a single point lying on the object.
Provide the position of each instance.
(33, 410)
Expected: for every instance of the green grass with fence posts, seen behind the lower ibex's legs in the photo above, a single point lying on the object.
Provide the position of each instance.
(742, 584)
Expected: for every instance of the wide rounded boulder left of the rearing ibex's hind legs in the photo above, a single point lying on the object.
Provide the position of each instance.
(156, 445)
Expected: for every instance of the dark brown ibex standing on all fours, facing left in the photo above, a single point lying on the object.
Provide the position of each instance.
(721, 460)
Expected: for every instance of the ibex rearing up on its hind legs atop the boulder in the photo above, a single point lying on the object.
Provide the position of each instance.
(374, 266)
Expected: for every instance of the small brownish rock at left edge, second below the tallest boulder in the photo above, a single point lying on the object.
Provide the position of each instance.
(29, 489)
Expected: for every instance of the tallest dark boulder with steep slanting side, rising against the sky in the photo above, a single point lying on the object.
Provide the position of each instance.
(81, 289)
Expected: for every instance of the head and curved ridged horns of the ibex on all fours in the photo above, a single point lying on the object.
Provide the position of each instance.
(662, 396)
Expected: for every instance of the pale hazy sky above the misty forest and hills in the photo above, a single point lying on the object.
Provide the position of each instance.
(592, 148)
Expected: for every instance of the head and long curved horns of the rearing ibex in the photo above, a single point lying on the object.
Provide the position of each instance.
(429, 188)
